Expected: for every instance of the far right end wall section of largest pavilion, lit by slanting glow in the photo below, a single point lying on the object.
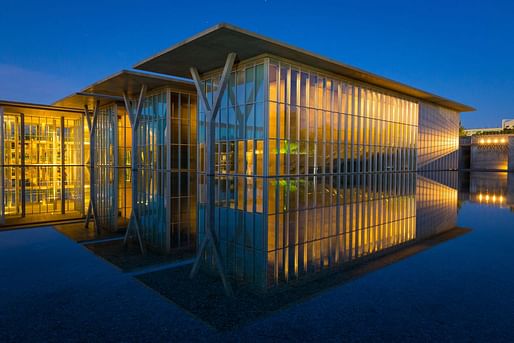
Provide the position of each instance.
(438, 140)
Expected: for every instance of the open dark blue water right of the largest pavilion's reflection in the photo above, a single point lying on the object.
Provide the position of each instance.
(461, 290)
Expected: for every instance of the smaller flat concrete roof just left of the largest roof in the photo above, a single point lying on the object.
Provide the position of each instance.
(113, 87)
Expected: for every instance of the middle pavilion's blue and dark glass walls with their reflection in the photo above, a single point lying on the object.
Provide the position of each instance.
(166, 172)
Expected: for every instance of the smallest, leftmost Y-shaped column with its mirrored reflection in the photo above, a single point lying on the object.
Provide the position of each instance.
(91, 123)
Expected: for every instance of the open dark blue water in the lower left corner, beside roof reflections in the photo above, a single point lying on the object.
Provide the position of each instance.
(53, 289)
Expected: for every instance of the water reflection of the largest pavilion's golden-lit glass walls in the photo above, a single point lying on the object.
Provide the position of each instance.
(313, 224)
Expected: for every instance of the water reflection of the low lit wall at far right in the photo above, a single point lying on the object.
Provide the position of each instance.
(488, 188)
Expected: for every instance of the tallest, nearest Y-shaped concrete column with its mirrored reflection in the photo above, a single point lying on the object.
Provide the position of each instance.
(210, 155)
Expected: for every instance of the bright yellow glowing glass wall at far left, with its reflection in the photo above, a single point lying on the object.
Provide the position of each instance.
(42, 164)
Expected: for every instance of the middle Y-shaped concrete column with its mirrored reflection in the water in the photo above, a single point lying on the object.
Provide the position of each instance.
(134, 122)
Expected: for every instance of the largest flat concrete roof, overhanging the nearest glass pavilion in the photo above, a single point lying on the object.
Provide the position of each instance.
(208, 51)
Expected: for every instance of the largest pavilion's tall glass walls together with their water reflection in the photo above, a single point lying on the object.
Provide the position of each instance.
(297, 151)
